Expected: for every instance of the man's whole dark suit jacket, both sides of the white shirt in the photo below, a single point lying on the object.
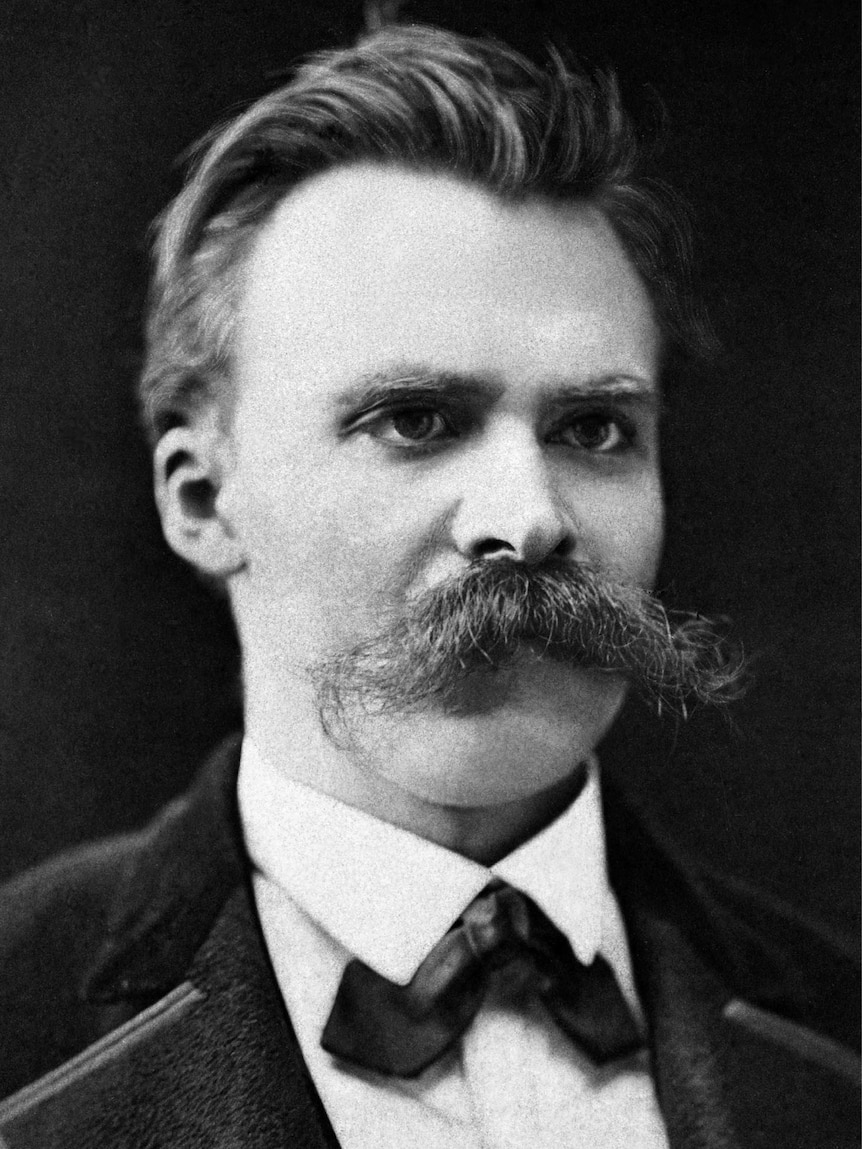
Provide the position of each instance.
(140, 1007)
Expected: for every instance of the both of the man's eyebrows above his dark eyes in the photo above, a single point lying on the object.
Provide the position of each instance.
(379, 388)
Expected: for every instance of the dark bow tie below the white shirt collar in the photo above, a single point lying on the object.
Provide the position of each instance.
(402, 1030)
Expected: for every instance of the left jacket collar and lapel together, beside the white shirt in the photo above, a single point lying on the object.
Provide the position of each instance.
(209, 1057)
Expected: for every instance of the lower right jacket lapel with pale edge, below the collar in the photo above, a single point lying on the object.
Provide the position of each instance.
(736, 1076)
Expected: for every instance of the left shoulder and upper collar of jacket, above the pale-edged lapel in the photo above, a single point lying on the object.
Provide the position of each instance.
(94, 937)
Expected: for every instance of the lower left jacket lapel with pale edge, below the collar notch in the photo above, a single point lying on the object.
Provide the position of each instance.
(214, 1063)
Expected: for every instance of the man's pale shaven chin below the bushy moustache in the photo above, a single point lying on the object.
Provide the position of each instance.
(543, 726)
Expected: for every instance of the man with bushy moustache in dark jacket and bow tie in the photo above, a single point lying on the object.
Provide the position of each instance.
(411, 322)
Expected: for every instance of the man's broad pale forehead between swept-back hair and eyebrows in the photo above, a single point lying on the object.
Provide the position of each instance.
(370, 266)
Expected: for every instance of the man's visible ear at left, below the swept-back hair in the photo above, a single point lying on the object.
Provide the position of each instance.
(191, 467)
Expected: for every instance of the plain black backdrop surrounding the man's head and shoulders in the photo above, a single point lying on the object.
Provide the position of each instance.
(116, 666)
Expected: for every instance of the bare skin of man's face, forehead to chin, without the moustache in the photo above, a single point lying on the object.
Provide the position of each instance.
(428, 376)
